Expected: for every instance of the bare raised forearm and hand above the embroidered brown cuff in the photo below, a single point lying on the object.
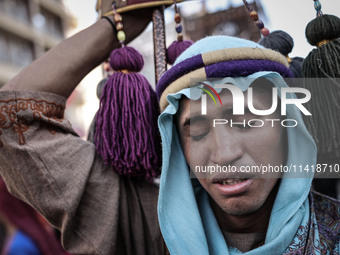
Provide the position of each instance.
(63, 67)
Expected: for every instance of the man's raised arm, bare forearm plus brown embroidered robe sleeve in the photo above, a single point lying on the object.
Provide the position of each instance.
(44, 163)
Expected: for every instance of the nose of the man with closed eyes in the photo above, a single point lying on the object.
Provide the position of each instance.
(226, 146)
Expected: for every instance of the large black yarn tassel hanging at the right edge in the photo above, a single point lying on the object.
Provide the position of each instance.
(324, 62)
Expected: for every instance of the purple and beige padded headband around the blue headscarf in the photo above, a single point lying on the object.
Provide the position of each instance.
(230, 62)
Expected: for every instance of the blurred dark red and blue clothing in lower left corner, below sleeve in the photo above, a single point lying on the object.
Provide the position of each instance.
(23, 231)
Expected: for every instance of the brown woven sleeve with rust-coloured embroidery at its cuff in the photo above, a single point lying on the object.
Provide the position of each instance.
(45, 163)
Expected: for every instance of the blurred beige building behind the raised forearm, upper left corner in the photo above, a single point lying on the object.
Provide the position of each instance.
(29, 28)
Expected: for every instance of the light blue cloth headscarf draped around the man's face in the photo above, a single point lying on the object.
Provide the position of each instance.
(186, 219)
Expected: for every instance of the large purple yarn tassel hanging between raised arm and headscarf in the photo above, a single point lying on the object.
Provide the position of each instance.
(127, 135)
